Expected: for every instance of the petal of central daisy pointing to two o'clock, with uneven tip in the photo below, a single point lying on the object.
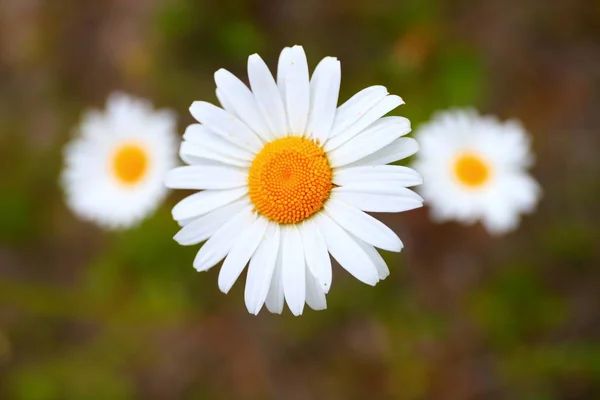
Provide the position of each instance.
(368, 142)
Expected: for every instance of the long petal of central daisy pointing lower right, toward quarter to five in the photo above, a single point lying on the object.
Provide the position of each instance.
(345, 250)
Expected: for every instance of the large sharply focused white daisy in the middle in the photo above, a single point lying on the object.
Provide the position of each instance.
(286, 177)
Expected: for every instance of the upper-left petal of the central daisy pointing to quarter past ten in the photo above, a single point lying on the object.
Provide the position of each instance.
(225, 125)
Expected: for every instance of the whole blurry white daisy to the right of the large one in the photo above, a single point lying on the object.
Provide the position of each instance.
(475, 168)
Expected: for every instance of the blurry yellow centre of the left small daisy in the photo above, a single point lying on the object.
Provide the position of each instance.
(130, 163)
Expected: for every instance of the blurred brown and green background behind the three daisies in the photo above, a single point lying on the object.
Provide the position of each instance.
(86, 314)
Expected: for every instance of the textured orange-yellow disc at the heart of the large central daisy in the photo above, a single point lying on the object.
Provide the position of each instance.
(289, 180)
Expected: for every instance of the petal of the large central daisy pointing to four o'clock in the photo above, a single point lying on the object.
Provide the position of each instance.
(367, 228)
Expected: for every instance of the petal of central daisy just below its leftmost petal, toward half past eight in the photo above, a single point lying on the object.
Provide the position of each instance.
(203, 202)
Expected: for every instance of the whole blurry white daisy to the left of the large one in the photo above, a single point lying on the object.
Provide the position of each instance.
(115, 168)
